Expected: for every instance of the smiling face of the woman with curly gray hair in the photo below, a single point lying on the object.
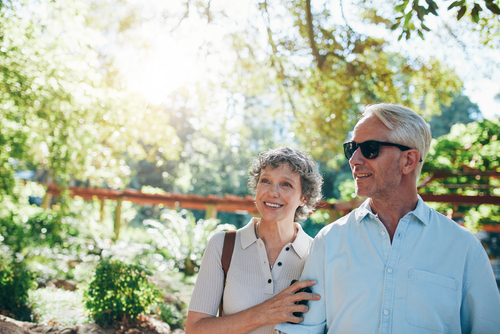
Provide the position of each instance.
(279, 194)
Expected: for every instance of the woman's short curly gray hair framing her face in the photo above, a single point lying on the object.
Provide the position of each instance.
(301, 164)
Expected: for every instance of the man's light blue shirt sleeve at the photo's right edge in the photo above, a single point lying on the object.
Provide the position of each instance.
(480, 312)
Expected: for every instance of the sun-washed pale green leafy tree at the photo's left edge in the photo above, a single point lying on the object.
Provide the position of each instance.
(63, 112)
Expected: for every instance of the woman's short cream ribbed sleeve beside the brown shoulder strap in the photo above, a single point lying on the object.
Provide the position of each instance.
(208, 289)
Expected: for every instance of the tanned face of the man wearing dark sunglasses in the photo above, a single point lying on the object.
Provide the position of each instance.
(375, 178)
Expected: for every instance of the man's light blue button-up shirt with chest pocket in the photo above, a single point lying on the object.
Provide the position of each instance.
(435, 277)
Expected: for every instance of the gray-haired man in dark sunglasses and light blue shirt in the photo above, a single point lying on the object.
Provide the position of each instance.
(394, 265)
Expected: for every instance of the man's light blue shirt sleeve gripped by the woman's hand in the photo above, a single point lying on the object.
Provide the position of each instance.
(315, 319)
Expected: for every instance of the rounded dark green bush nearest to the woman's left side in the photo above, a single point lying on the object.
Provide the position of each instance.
(119, 292)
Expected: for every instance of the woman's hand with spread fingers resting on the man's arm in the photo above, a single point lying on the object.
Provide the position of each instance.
(281, 307)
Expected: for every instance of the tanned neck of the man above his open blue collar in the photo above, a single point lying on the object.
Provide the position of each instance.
(390, 211)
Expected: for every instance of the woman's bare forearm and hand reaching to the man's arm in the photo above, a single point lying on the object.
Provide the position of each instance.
(273, 311)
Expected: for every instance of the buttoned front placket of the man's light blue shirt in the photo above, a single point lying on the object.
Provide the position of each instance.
(390, 278)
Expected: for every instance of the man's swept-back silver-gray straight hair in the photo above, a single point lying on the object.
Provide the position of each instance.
(407, 127)
